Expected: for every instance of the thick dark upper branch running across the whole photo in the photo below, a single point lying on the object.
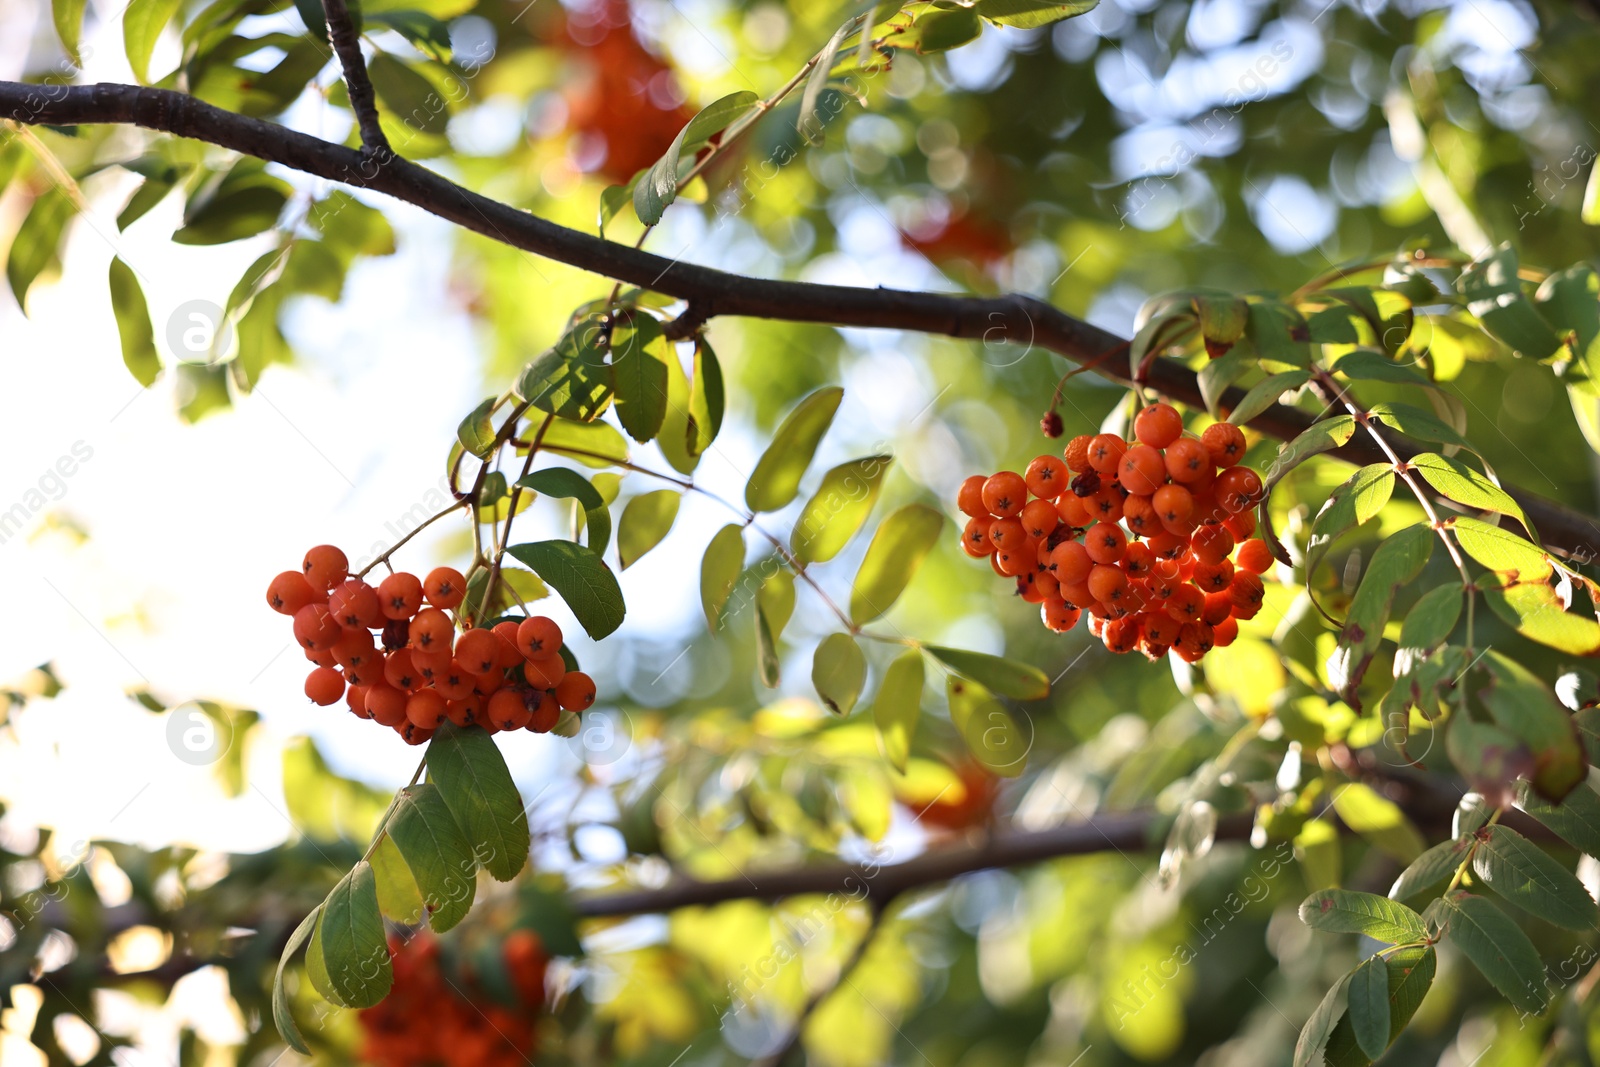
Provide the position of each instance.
(991, 321)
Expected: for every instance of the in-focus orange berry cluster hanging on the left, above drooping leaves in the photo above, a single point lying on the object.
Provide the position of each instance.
(396, 658)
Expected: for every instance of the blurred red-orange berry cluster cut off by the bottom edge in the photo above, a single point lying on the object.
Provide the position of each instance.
(436, 1021)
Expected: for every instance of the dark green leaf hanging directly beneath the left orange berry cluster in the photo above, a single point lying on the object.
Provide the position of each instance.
(481, 794)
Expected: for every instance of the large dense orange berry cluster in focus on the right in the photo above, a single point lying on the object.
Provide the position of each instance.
(1142, 535)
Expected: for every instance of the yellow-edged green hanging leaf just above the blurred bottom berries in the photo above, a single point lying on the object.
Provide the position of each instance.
(348, 943)
